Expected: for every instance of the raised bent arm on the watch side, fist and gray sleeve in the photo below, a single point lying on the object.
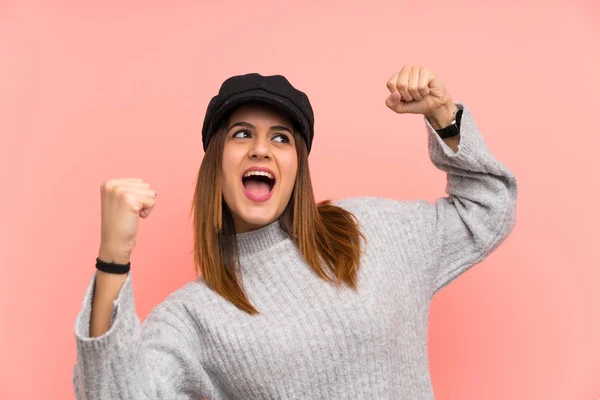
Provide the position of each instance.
(480, 211)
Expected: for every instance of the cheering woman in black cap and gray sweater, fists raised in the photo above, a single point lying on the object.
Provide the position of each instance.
(296, 300)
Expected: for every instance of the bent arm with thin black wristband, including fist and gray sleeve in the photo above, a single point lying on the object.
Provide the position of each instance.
(117, 358)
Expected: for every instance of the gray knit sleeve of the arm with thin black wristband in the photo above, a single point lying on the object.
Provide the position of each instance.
(154, 360)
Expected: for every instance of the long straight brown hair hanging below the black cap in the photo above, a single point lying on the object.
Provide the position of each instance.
(323, 232)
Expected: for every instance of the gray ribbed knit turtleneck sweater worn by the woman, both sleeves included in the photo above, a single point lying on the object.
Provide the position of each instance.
(311, 340)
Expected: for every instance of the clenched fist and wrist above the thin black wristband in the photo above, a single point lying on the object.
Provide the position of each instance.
(123, 202)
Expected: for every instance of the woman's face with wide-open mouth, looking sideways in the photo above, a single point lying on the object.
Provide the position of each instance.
(259, 165)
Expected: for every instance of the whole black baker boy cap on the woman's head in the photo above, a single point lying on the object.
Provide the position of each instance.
(274, 90)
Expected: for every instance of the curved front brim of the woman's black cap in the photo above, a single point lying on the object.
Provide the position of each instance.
(261, 96)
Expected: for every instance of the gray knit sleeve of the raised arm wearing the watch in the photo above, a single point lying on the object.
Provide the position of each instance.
(480, 211)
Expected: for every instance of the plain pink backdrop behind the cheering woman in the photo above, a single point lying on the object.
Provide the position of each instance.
(115, 89)
